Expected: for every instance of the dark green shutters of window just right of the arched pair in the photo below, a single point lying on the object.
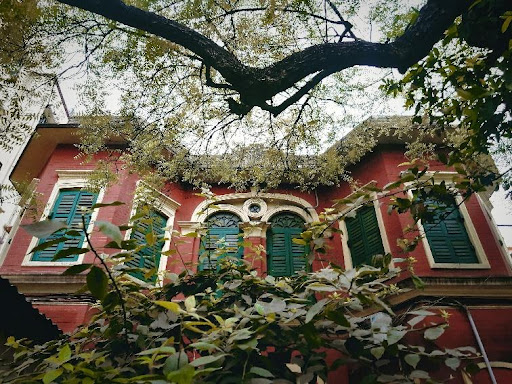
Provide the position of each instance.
(364, 238)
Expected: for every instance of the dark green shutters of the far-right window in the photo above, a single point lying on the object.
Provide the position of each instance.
(447, 236)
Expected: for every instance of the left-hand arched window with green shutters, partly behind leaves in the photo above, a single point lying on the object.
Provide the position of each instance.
(222, 239)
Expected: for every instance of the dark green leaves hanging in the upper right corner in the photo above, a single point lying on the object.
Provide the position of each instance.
(464, 85)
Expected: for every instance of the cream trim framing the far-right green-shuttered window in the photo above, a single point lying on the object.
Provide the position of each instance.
(483, 262)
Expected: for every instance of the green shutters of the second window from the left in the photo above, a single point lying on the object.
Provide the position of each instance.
(149, 256)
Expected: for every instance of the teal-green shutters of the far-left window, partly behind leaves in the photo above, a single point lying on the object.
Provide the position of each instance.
(67, 208)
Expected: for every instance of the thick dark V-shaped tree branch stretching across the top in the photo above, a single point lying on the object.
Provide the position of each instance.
(258, 85)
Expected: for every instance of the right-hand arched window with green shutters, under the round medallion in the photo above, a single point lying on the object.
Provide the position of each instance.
(284, 256)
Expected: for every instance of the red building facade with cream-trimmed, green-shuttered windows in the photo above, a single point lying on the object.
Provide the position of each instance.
(462, 259)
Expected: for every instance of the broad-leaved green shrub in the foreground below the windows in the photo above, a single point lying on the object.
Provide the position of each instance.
(232, 325)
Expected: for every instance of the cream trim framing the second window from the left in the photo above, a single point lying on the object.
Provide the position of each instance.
(167, 207)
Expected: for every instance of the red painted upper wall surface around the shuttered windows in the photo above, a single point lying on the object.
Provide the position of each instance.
(381, 166)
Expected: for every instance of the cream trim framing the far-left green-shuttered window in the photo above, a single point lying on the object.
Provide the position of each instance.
(67, 179)
